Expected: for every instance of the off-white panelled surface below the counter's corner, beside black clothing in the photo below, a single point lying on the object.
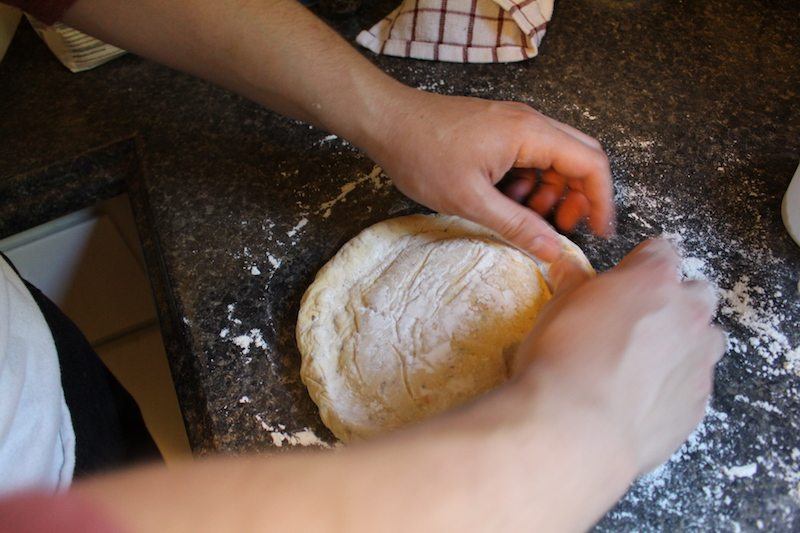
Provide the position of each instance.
(91, 265)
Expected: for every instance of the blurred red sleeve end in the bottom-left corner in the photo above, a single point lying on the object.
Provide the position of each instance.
(40, 513)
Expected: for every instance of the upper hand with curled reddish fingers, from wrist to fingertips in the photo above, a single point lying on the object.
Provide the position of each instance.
(448, 152)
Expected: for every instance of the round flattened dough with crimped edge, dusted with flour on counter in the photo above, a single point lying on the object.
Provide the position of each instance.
(413, 316)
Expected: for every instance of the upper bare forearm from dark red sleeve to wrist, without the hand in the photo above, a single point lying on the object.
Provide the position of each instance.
(274, 52)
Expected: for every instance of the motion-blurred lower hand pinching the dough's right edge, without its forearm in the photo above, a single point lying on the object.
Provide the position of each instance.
(631, 351)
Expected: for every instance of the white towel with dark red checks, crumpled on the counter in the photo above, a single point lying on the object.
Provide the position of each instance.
(463, 31)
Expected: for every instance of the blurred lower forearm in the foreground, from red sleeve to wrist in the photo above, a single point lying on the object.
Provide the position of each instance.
(468, 471)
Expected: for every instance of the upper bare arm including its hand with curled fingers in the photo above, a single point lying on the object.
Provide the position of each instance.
(445, 152)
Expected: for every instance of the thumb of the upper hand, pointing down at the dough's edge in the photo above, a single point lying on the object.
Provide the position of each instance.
(518, 224)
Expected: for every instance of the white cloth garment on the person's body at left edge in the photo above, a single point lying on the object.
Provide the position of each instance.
(37, 442)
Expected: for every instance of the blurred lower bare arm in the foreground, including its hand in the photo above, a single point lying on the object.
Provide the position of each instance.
(551, 450)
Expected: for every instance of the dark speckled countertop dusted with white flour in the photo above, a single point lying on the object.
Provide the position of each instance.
(696, 103)
